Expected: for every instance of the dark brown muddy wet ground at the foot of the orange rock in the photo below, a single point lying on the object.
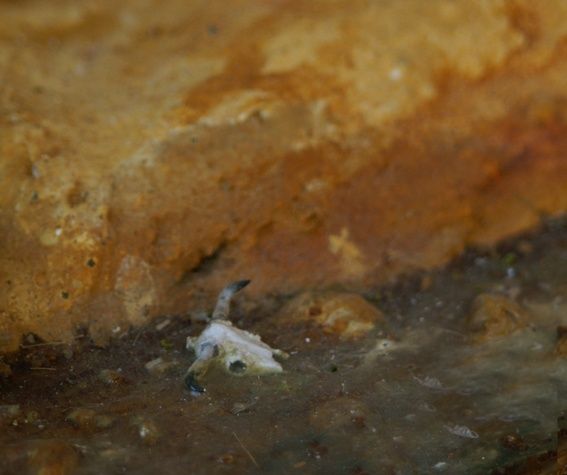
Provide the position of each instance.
(467, 375)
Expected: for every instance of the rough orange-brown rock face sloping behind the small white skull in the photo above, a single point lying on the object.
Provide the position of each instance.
(151, 151)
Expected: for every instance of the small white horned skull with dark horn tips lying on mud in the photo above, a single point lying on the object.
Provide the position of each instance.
(240, 352)
